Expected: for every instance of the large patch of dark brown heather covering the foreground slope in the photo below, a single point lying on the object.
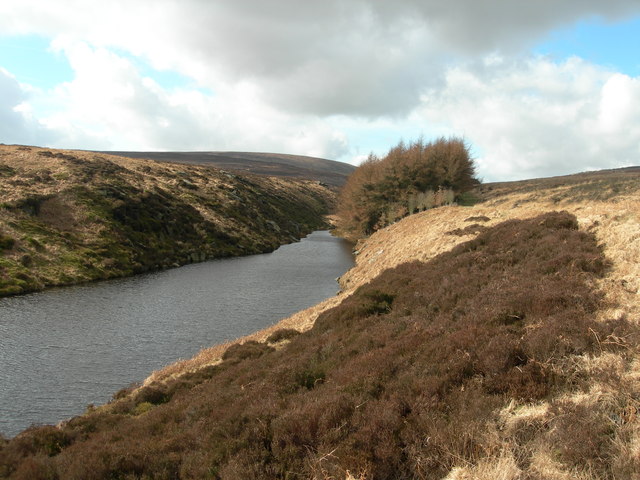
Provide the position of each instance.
(402, 380)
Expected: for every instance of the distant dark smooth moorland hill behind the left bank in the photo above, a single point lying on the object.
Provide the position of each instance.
(283, 165)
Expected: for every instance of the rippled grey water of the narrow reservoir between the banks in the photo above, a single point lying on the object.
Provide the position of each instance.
(65, 348)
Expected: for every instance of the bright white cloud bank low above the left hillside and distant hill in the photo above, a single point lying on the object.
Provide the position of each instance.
(121, 109)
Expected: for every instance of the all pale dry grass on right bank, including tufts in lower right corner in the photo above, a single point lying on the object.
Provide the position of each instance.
(611, 380)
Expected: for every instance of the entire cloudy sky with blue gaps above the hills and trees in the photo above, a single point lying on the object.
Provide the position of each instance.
(537, 88)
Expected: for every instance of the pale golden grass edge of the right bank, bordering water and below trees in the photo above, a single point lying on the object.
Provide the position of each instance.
(422, 236)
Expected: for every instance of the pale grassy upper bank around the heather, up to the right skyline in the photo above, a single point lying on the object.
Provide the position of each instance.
(606, 203)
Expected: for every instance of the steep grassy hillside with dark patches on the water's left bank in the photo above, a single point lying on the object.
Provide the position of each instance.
(70, 216)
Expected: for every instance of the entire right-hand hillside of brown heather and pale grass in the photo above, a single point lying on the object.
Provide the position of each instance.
(492, 341)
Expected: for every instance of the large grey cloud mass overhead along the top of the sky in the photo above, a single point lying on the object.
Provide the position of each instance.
(331, 57)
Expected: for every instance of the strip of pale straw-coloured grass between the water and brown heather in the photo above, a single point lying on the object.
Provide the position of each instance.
(423, 236)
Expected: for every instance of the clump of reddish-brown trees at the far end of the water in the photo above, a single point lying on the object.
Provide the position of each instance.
(407, 180)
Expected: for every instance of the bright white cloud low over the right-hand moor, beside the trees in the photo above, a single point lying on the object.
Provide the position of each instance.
(538, 118)
